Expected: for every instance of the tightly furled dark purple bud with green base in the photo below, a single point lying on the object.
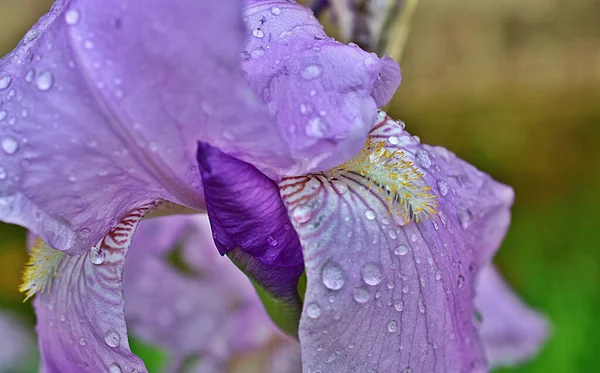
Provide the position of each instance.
(251, 225)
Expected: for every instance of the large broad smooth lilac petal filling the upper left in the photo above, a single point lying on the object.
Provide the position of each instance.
(101, 106)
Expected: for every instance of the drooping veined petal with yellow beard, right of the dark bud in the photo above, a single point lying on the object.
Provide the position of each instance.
(391, 244)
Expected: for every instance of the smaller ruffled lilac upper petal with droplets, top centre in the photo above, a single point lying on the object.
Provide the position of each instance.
(323, 94)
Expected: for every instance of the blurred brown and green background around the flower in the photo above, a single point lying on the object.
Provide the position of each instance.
(513, 87)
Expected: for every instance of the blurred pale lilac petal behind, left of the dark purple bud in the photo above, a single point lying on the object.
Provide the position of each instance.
(213, 310)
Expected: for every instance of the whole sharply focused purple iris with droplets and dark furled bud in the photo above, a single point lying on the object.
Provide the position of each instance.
(114, 111)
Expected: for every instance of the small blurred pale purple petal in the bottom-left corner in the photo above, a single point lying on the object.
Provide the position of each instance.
(14, 343)
